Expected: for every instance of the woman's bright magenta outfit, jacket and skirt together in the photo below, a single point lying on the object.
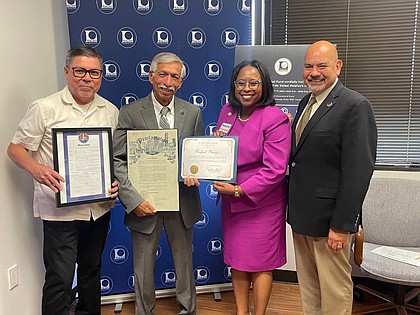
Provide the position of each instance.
(254, 225)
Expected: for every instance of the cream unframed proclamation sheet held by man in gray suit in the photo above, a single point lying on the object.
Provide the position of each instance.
(153, 166)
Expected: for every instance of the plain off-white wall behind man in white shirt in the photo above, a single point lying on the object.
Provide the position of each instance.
(34, 40)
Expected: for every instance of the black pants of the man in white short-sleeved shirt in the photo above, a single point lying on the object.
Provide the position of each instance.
(65, 244)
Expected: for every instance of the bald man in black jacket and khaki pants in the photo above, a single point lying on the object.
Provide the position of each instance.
(332, 161)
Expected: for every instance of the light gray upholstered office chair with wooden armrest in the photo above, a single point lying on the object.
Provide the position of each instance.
(391, 217)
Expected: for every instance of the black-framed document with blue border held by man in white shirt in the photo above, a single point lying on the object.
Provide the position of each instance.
(83, 156)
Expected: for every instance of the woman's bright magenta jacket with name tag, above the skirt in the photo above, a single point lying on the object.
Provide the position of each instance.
(263, 154)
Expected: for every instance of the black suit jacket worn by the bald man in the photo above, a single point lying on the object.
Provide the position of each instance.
(331, 167)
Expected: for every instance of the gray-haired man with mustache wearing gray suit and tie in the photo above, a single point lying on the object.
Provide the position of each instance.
(166, 75)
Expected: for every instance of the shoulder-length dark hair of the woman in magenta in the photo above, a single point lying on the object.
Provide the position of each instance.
(267, 97)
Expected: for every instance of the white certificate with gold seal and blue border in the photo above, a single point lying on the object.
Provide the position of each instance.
(209, 158)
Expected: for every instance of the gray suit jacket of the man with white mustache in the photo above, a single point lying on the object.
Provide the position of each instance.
(141, 115)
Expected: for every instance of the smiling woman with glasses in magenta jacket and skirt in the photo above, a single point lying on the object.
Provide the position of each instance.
(253, 209)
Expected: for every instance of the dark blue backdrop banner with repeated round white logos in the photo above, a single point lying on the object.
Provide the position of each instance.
(128, 34)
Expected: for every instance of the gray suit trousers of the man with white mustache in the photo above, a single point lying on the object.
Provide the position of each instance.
(144, 255)
